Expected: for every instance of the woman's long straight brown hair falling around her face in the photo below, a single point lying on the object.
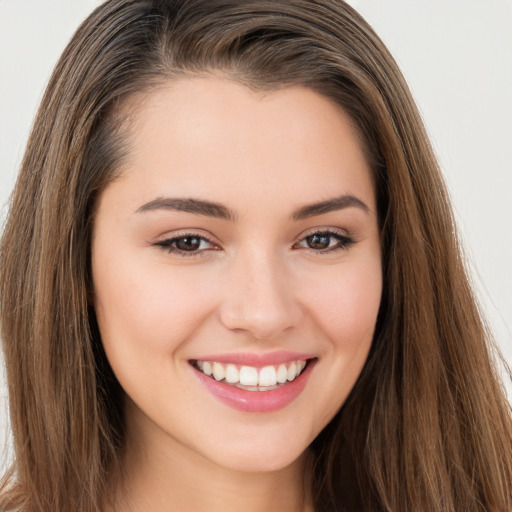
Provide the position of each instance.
(426, 426)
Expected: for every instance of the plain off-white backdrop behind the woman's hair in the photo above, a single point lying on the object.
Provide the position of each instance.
(457, 58)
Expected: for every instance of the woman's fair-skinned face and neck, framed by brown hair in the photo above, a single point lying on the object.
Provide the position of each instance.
(207, 249)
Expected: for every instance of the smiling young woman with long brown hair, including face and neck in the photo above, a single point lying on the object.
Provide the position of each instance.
(230, 278)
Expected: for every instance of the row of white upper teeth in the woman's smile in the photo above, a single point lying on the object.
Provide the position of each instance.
(250, 375)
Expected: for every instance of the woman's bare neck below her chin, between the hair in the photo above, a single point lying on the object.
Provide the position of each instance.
(161, 475)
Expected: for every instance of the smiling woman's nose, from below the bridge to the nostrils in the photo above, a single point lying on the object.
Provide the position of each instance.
(259, 297)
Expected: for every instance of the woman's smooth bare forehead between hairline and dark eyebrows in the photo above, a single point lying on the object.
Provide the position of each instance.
(213, 137)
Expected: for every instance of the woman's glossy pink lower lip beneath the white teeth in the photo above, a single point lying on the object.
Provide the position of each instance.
(257, 401)
